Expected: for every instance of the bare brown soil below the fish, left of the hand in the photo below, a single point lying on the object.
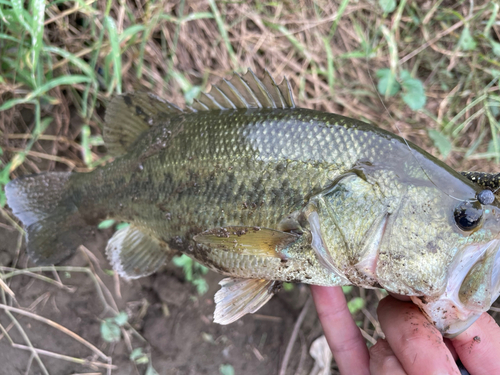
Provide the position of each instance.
(175, 322)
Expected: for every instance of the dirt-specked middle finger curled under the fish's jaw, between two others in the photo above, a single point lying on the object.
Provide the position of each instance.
(415, 341)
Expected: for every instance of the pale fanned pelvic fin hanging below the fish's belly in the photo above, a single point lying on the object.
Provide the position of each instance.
(238, 297)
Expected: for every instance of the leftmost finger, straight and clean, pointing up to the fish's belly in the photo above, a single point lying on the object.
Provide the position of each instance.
(343, 336)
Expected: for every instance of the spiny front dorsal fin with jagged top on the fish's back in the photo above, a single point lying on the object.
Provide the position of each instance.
(247, 91)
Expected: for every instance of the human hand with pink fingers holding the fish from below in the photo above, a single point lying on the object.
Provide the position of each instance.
(412, 345)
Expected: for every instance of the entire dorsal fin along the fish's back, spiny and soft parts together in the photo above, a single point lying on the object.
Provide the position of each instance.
(131, 114)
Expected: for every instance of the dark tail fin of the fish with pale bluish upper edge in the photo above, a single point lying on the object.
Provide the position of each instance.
(54, 227)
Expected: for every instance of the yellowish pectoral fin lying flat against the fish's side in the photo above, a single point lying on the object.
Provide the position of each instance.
(247, 240)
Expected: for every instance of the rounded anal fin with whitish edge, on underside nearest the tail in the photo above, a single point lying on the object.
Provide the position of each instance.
(134, 254)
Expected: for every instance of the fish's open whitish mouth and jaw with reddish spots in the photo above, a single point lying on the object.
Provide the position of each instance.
(473, 285)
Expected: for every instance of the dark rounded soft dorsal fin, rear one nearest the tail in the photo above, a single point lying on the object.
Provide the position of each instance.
(129, 115)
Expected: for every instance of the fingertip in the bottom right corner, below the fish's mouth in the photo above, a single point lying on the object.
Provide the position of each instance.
(479, 346)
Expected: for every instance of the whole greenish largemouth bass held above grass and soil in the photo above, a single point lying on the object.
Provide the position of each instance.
(264, 192)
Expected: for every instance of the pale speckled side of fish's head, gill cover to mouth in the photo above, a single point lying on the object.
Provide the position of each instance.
(439, 246)
